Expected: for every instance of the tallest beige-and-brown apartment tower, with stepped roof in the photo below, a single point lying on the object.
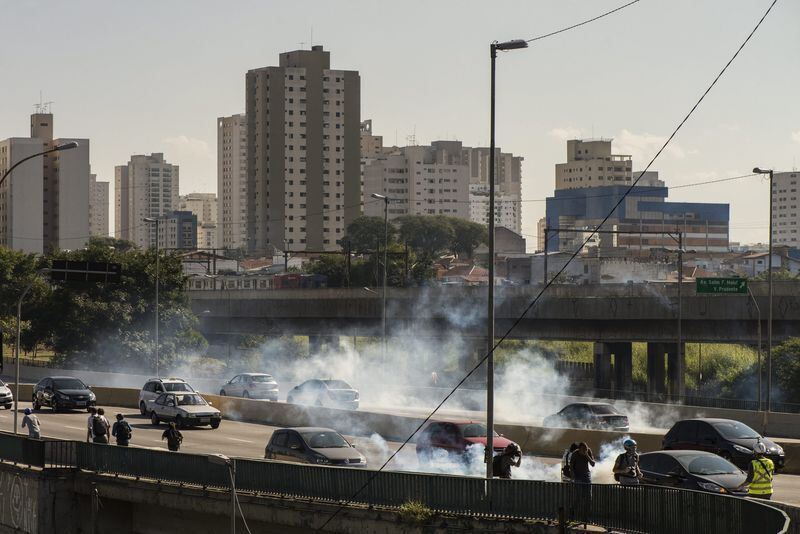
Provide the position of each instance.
(303, 154)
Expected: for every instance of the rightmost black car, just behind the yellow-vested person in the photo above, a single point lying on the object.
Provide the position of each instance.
(730, 439)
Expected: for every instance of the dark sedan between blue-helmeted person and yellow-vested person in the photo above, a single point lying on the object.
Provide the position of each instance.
(694, 470)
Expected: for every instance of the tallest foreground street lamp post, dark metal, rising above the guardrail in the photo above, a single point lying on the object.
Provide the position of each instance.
(489, 452)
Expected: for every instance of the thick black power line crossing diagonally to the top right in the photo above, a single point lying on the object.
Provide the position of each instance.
(547, 286)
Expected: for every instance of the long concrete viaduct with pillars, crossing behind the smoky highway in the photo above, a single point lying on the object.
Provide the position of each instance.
(611, 316)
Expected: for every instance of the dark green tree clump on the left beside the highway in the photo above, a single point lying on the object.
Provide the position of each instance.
(102, 323)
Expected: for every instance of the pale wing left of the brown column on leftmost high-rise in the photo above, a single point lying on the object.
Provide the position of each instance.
(21, 196)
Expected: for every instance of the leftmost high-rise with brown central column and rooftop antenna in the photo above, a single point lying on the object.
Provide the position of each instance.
(63, 202)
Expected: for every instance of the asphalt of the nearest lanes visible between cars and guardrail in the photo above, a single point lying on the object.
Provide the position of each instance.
(240, 439)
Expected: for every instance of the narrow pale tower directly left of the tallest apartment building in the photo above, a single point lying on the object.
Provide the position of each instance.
(232, 181)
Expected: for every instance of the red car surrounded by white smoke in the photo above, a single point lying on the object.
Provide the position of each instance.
(455, 437)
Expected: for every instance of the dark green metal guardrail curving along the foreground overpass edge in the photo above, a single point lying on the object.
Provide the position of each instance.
(643, 509)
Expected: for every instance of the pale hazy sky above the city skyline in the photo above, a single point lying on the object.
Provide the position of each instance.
(152, 76)
